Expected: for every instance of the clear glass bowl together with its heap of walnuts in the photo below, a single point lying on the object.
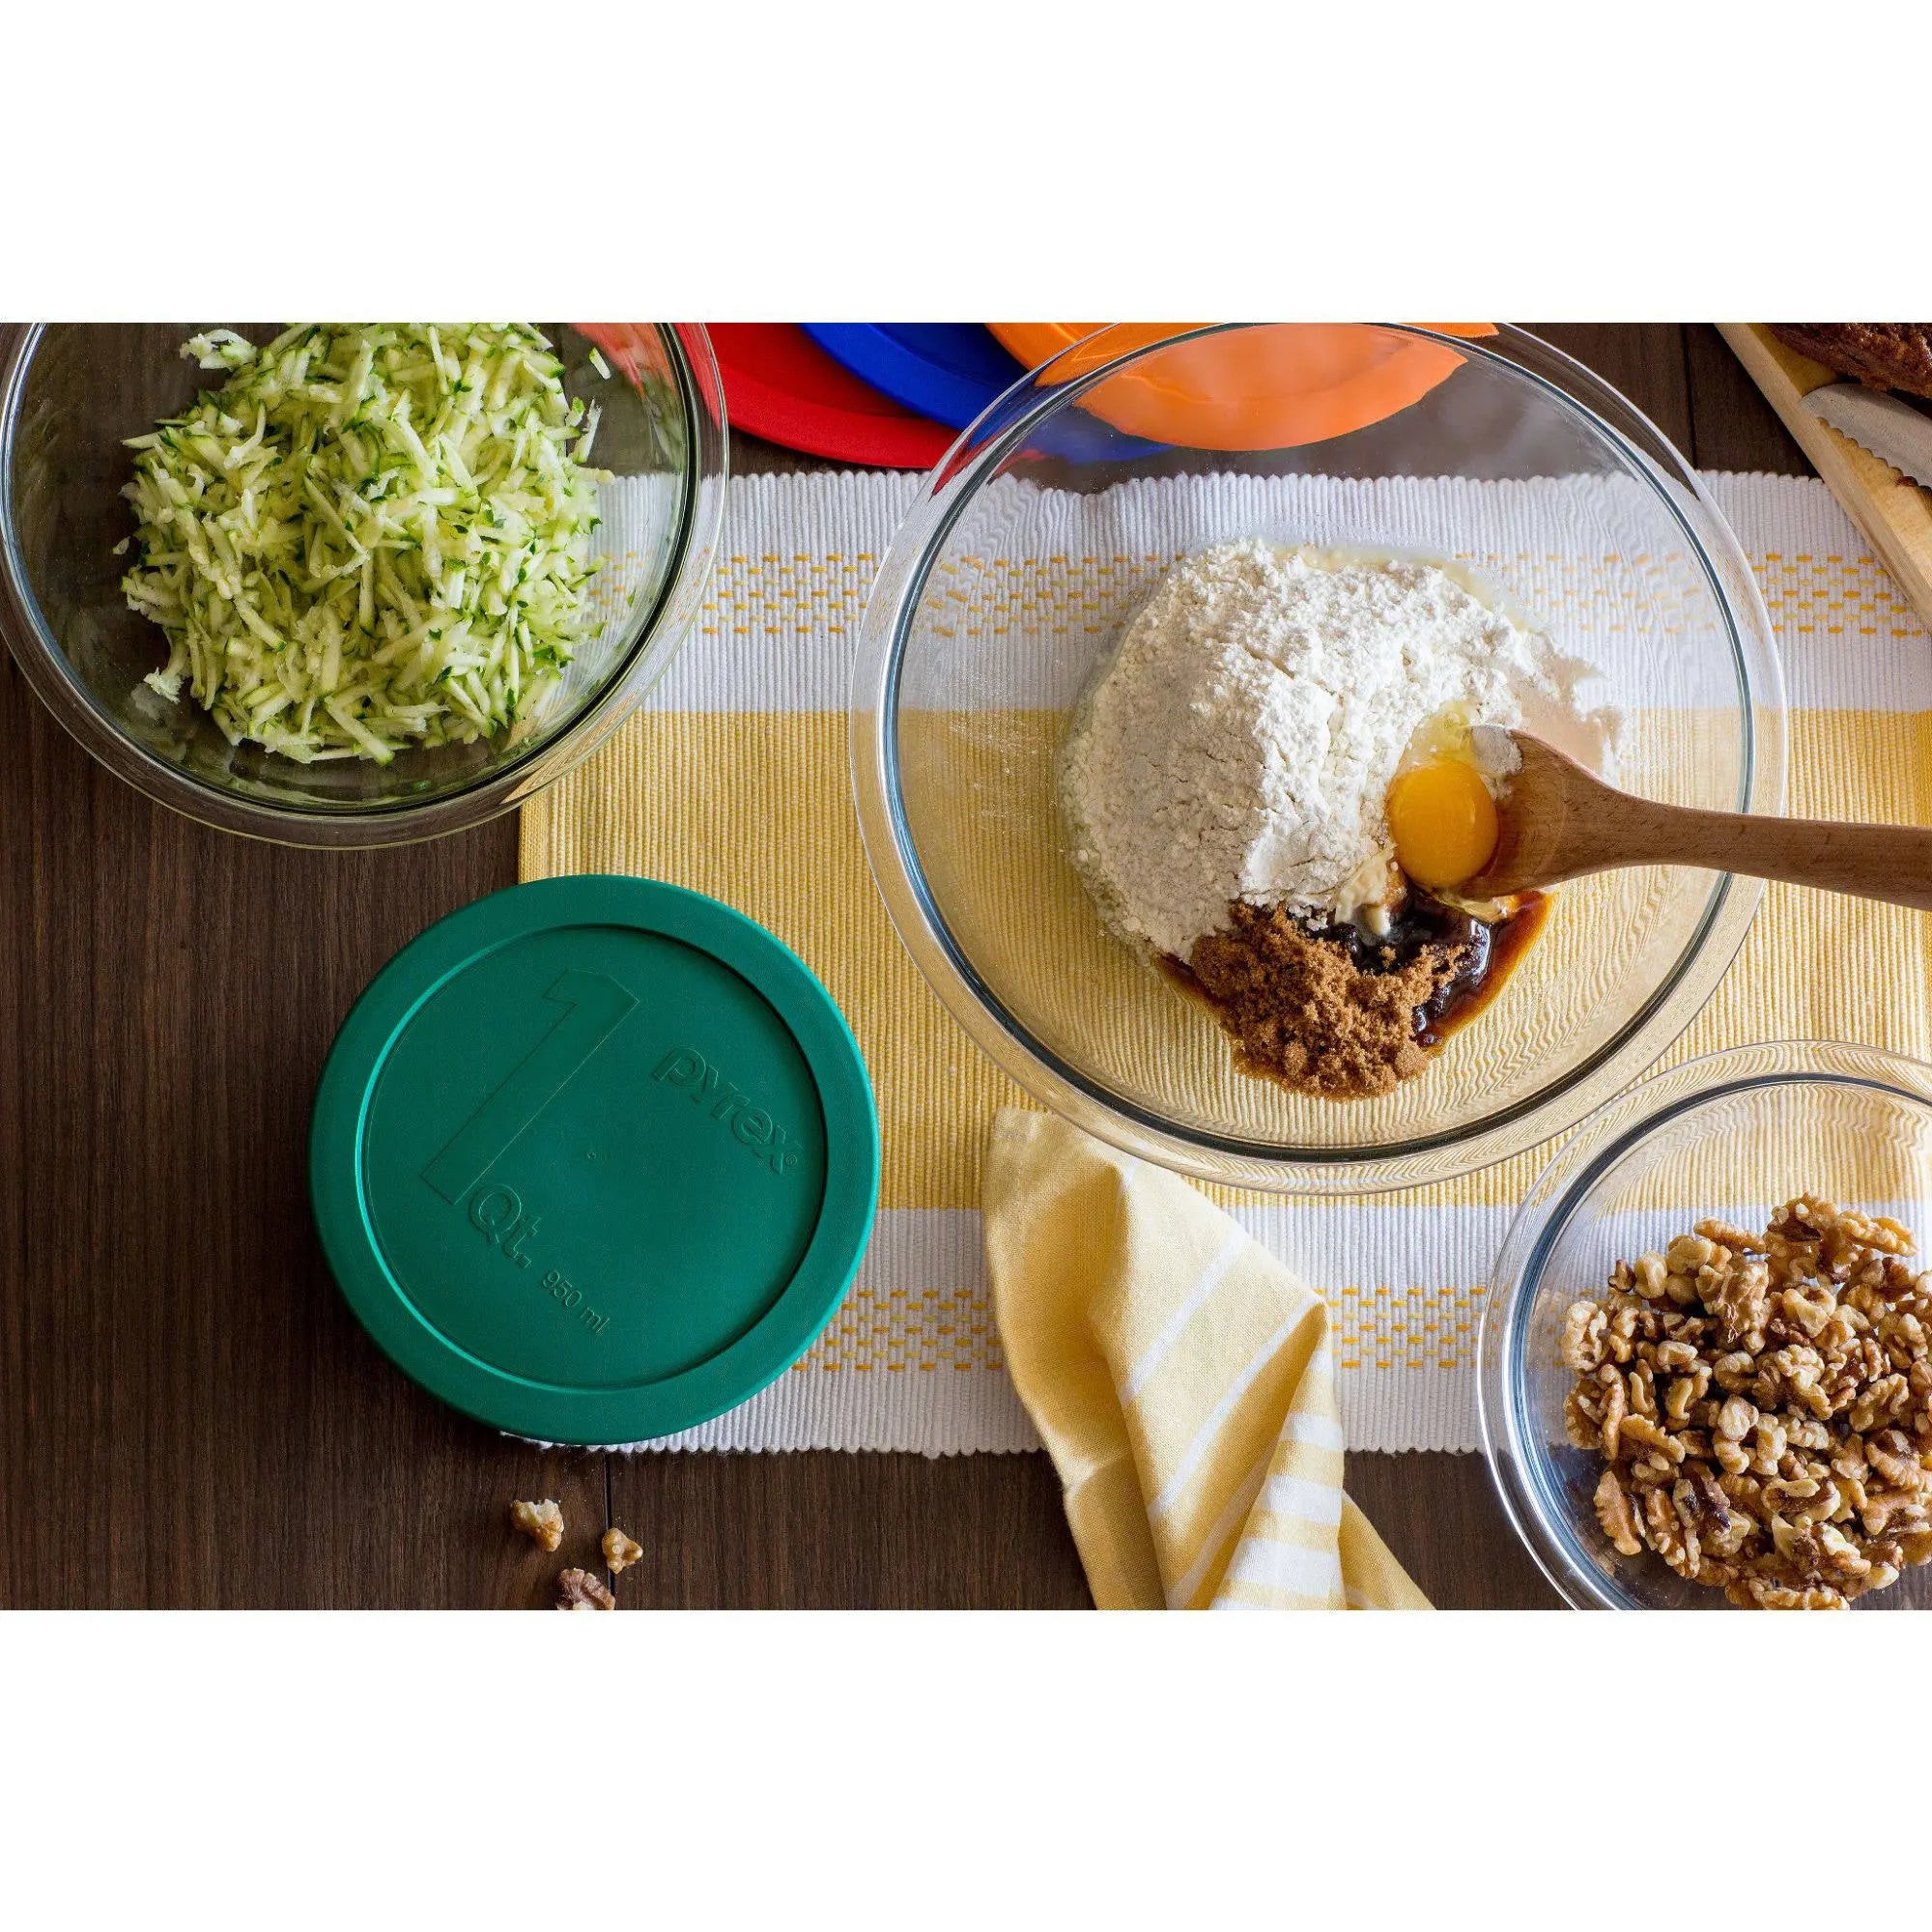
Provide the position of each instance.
(1707, 1348)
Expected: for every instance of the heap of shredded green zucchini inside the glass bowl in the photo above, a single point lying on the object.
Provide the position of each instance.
(370, 536)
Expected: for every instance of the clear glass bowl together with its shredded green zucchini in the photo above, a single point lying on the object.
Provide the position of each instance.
(353, 584)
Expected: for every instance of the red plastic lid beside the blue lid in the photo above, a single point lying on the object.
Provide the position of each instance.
(783, 387)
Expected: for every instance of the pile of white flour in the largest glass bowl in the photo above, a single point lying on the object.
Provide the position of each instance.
(1241, 739)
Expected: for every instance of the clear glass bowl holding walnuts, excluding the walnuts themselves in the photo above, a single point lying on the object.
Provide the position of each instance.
(1730, 1135)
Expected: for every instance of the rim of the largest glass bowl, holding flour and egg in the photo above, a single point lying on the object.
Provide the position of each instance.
(1046, 1077)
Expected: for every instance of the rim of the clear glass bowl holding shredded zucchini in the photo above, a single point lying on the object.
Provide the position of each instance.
(399, 820)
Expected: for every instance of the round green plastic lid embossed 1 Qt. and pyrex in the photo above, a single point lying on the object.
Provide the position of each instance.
(594, 1160)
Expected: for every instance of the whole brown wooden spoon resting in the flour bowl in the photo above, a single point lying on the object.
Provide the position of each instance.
(1560, 822)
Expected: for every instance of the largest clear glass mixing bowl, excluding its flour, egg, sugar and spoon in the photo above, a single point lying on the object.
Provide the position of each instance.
(1054, 519)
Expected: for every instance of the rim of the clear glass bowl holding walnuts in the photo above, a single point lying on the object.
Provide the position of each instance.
(1616, 1129)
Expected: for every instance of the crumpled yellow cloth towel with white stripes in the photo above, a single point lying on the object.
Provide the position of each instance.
(1183, 1382)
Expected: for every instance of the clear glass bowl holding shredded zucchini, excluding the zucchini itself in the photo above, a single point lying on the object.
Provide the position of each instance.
(69, 397)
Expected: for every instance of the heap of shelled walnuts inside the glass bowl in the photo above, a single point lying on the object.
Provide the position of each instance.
(1761, 1407)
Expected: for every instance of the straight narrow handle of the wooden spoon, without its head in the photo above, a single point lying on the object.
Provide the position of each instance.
(1889, 863)
